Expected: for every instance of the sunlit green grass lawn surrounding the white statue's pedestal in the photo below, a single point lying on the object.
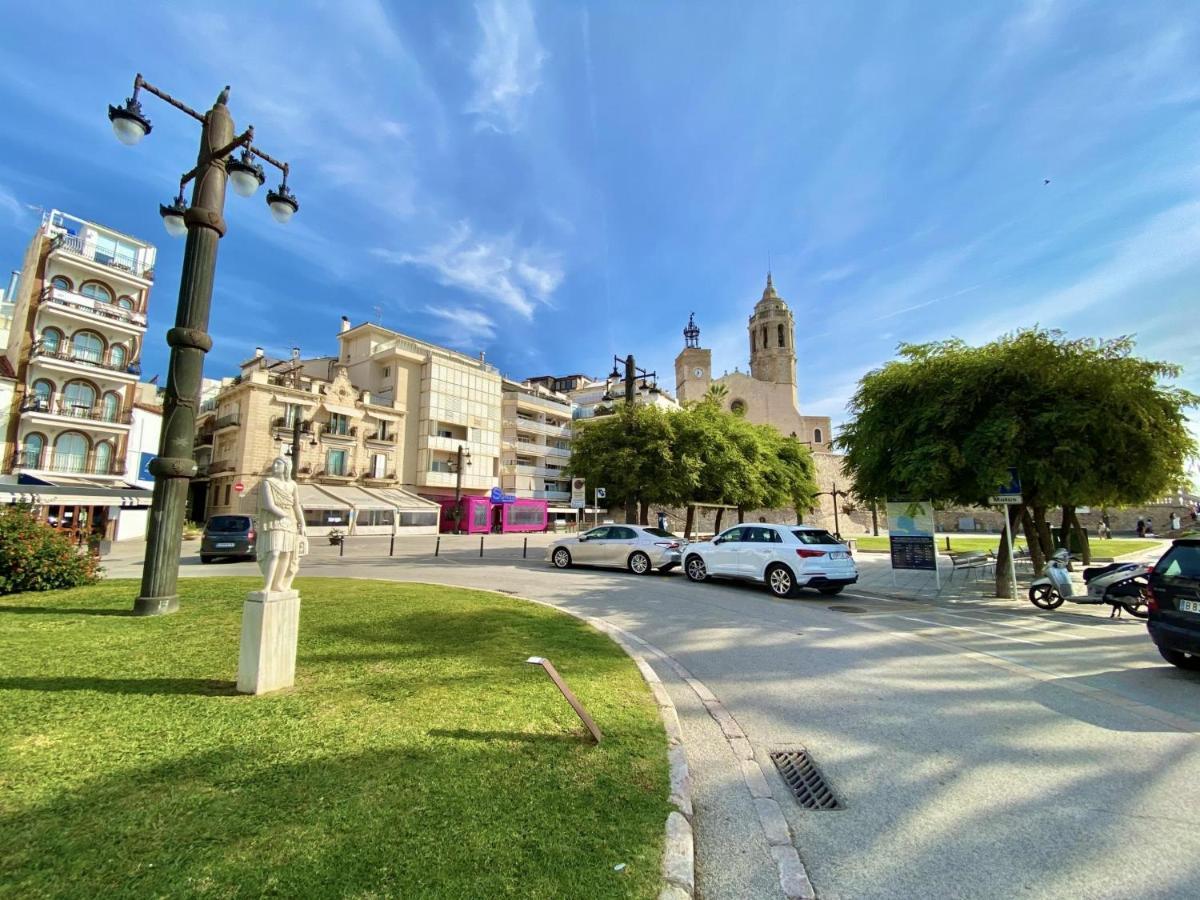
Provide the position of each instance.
(418, 757)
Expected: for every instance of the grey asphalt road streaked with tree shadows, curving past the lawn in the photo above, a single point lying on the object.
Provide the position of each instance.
(981, 749)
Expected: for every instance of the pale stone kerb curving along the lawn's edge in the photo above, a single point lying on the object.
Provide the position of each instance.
(679, 865)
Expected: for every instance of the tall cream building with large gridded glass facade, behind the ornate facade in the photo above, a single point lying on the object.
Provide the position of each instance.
(448, 401)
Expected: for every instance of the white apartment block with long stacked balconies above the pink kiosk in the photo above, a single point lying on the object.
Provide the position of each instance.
(536, 442)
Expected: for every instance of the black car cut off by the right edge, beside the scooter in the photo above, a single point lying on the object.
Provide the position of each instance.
(1175, 604)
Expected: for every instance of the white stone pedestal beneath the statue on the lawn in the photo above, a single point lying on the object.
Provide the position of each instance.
(271, 626)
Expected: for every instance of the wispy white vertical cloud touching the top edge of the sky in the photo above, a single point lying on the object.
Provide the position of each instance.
(508, 65)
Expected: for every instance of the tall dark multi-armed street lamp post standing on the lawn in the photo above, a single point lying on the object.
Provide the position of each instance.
(205, 226)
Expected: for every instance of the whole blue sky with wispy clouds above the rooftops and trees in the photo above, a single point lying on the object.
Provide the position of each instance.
(556, 183)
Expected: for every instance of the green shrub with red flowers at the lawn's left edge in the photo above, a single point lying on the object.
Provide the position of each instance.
(35, 557)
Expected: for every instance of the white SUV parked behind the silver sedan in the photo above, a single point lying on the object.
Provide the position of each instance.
(785, 559)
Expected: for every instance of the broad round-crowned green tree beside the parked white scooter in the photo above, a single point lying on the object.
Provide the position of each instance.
(1084, 422)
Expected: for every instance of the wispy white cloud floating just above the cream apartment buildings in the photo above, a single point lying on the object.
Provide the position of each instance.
(495, 268)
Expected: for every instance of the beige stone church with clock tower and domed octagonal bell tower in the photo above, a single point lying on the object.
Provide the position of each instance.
(767, 395)
